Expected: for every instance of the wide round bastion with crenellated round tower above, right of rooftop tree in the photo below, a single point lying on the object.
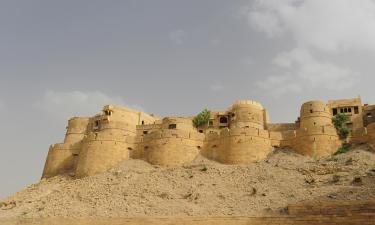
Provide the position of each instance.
(245, 141)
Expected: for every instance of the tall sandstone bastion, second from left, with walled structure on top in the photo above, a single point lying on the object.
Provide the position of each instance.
(112, 137)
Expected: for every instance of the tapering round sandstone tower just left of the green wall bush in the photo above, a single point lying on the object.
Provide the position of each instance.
(316, 135)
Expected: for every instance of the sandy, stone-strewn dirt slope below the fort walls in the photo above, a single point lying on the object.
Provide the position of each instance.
(202, 188)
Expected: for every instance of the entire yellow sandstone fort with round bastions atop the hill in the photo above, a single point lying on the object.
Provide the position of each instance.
(242, 134)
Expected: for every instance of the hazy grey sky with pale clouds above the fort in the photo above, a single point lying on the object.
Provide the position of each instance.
(67, 58)
